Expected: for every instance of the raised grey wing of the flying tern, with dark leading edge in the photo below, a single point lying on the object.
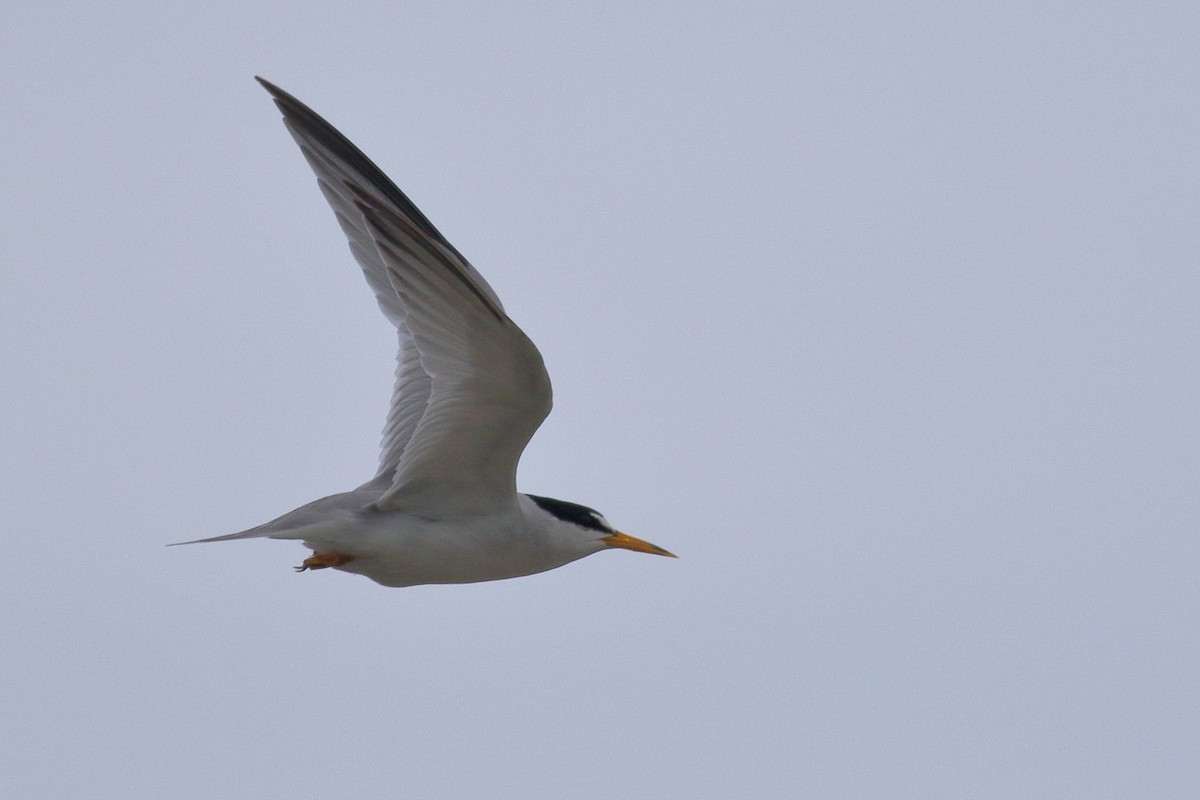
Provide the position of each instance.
(471, 387)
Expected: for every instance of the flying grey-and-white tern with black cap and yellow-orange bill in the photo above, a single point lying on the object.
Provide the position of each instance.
(471, 392)
